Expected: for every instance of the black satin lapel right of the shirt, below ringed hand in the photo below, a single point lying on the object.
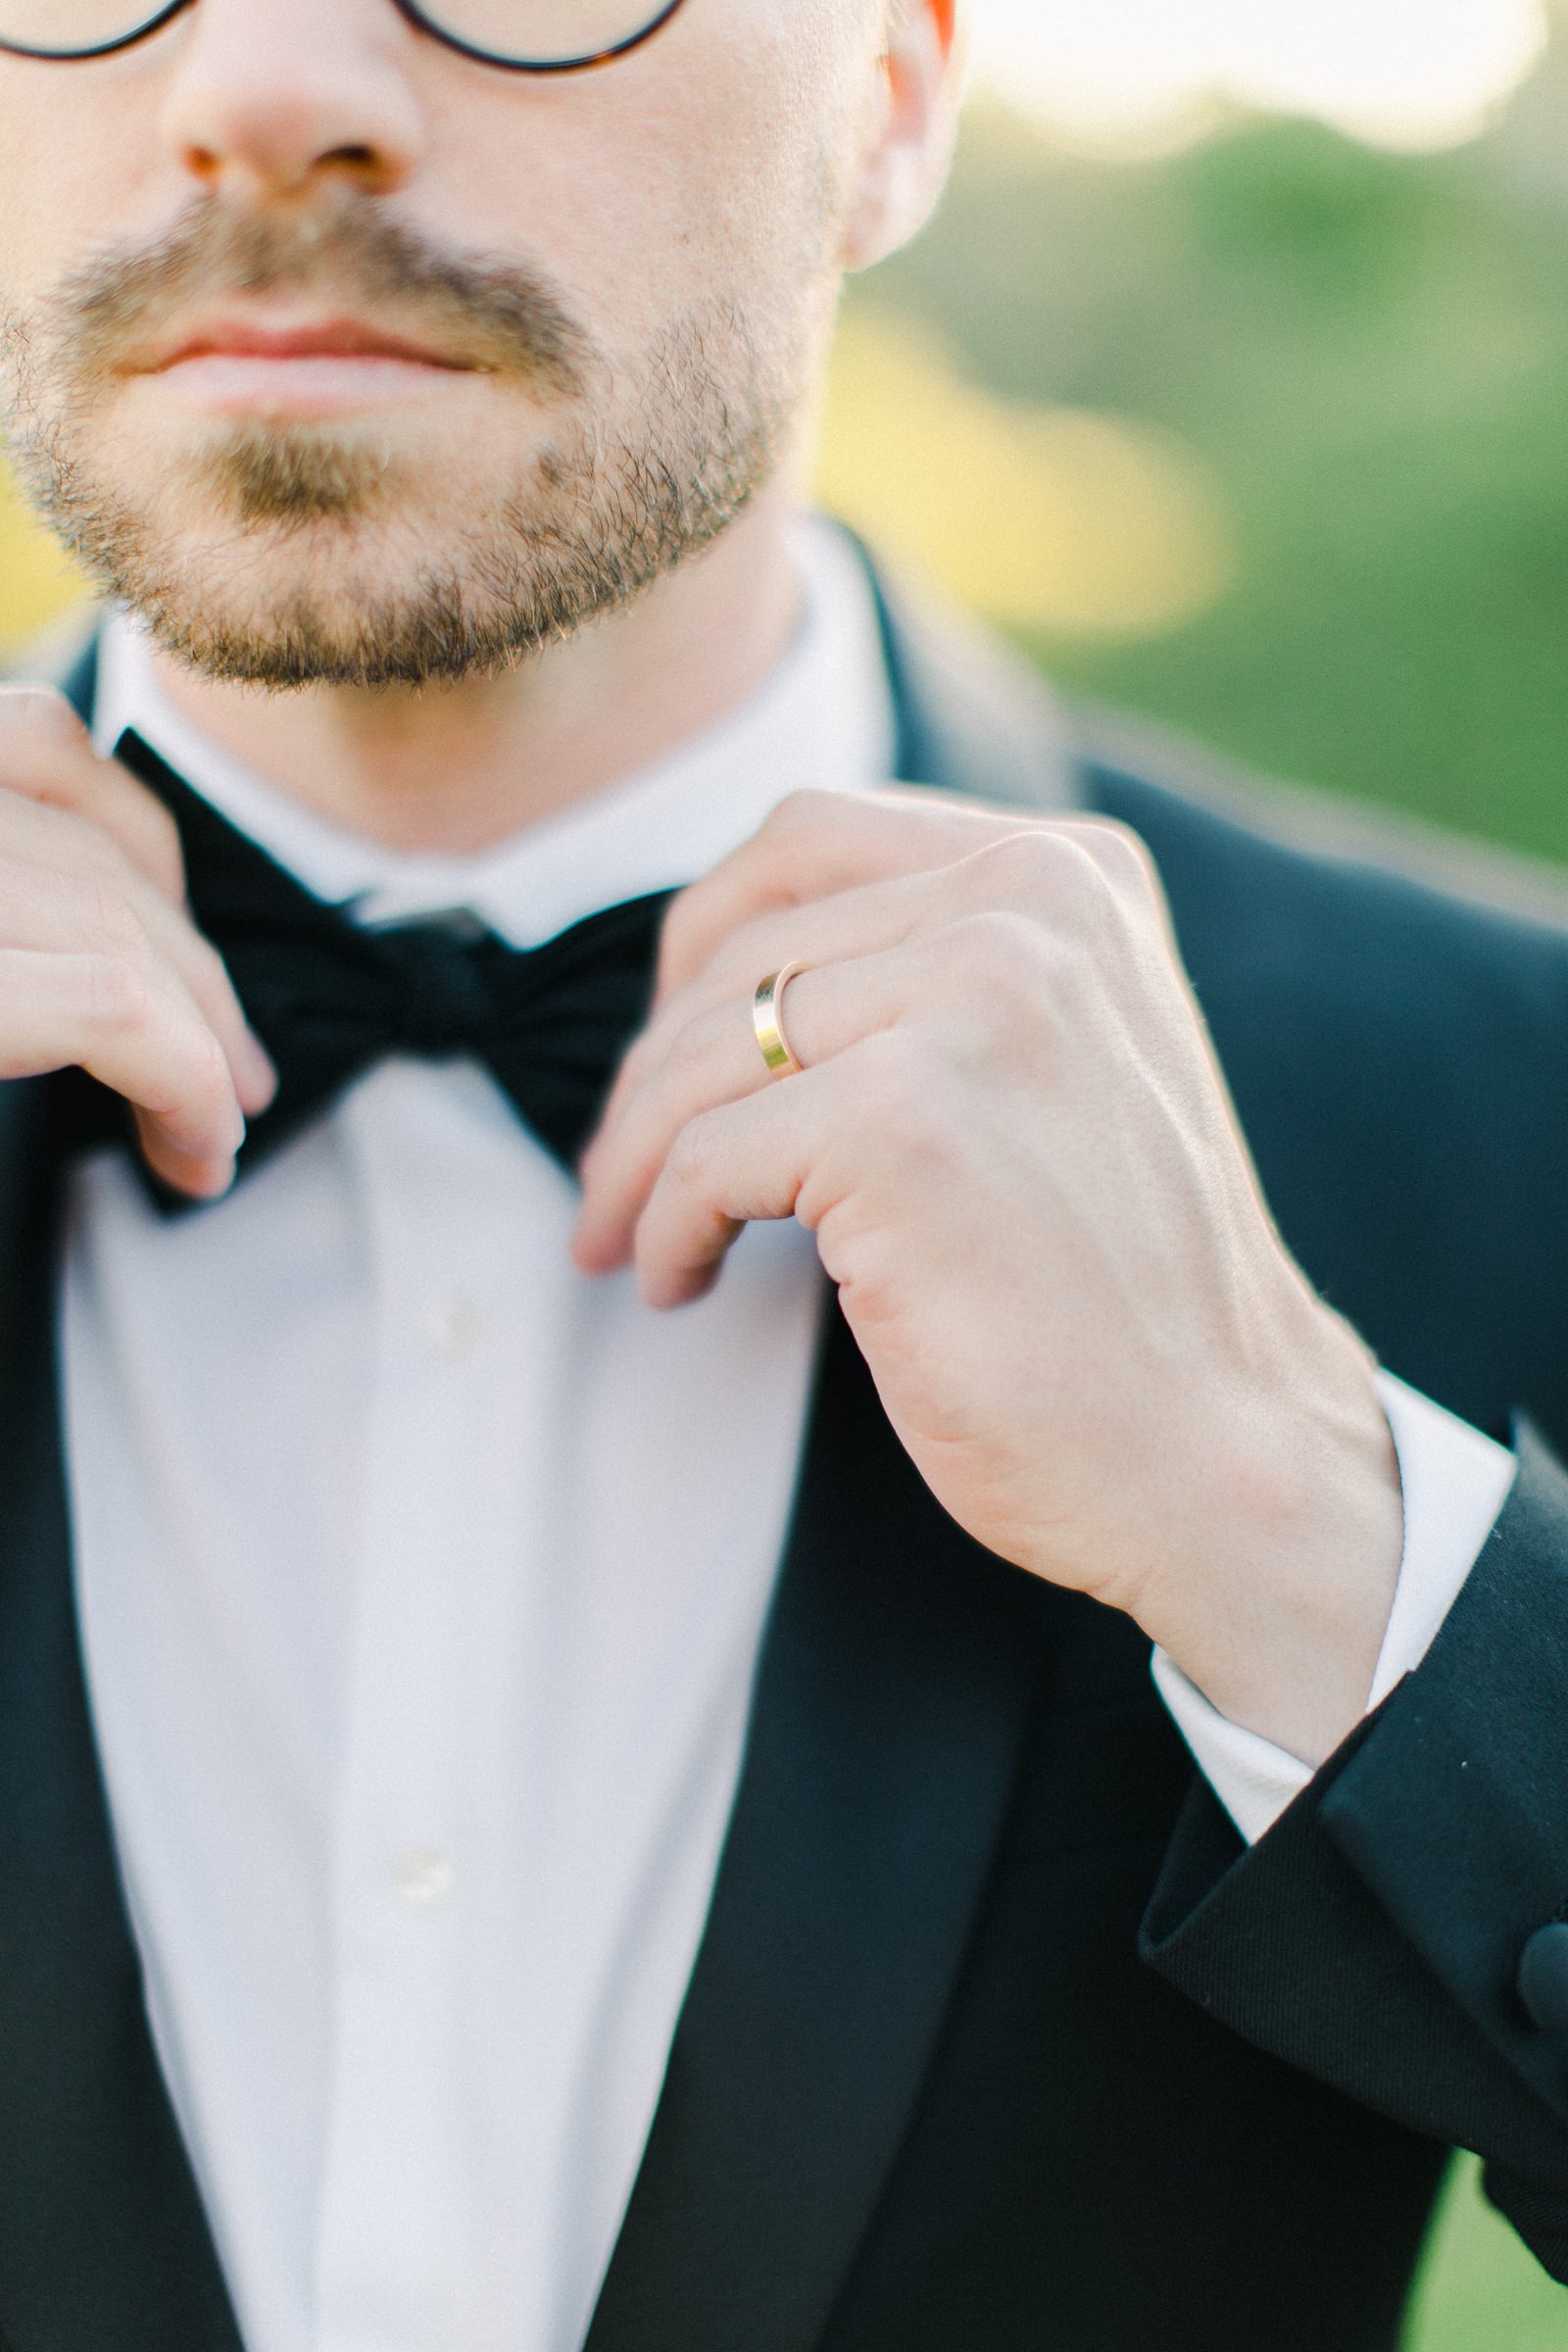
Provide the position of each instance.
(885, 1737)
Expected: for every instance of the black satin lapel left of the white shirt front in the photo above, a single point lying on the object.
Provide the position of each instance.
(102, 2233)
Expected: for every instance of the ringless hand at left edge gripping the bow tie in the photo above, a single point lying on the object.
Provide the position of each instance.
(100, 963)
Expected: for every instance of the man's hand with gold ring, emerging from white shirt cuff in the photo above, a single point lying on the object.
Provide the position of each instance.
(1026, 1177)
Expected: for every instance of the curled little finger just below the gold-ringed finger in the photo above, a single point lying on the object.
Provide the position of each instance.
(728, 1168)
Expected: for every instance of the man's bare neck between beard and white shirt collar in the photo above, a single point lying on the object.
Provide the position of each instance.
(469, 766)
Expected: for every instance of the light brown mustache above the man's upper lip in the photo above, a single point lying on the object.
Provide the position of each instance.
(495, 312)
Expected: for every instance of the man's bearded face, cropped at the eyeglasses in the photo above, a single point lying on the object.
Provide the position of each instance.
(587, 312)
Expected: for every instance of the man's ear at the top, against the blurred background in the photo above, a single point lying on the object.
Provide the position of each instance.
(911, 131)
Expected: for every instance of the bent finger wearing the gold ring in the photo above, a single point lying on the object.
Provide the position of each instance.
(716, 1060)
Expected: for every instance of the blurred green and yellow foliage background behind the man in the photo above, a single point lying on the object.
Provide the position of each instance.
(1264, 436)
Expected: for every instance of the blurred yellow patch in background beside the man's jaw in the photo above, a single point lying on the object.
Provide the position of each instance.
(1038, 519)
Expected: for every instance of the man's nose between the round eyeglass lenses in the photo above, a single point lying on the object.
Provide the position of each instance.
(276, 98)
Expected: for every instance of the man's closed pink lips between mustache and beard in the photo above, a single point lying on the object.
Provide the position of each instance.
(297, 368)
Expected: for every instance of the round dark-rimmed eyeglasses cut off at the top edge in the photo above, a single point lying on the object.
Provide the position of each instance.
(523, 36)
